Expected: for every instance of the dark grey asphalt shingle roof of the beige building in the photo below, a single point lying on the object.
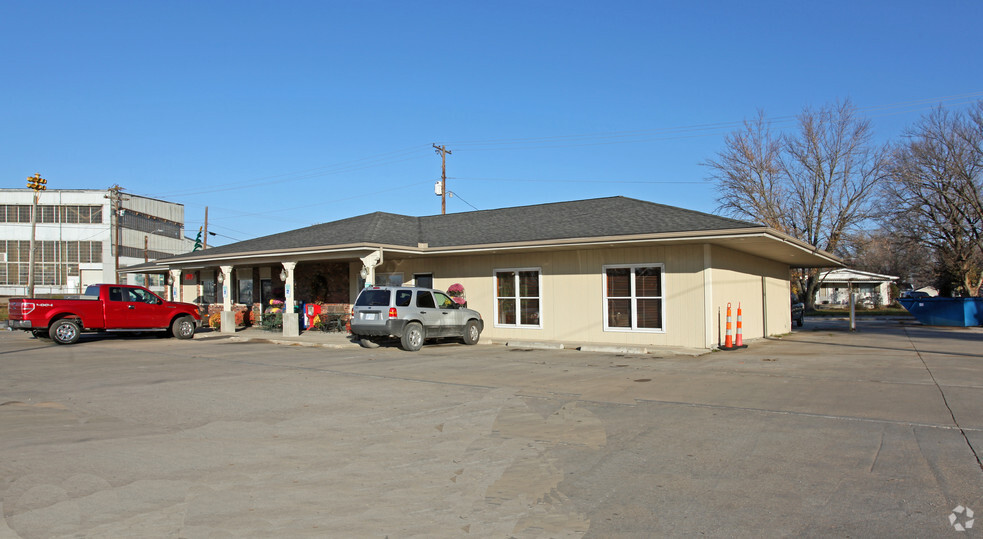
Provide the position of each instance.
(613, 216)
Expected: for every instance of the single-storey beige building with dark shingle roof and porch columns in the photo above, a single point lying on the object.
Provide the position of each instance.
(608, 271)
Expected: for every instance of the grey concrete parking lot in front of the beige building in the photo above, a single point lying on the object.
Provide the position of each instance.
(821, 433)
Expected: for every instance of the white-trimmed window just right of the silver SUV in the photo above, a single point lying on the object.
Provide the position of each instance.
(517, 298)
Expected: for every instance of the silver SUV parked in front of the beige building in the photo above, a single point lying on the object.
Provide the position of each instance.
(411, 315)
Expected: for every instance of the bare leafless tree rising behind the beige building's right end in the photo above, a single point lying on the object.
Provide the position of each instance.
(815, 184)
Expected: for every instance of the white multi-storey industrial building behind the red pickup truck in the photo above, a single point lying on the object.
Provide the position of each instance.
(76, 235)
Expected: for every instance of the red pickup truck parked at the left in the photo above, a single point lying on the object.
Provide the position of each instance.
(103, 307)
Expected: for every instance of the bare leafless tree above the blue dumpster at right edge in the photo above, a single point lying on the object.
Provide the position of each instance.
(937, 191)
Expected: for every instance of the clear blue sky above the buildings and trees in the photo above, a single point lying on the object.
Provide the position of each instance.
(278, 115)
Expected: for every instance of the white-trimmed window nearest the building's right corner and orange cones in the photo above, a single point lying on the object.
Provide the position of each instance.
(633, 298)
